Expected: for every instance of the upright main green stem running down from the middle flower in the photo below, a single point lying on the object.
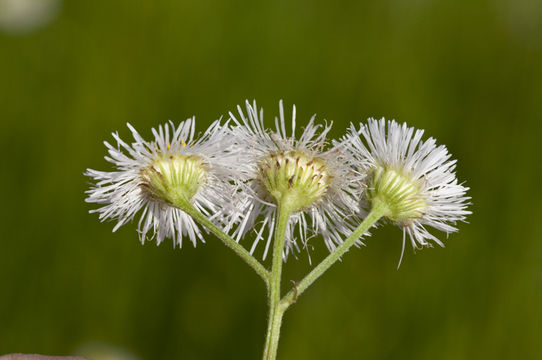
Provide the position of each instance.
(275, 309)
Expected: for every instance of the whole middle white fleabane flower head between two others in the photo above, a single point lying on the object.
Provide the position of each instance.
(316, 183)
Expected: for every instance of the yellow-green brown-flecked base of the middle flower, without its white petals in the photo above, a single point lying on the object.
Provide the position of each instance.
(295, 178)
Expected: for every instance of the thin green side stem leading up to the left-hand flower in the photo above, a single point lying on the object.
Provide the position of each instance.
(226, 239)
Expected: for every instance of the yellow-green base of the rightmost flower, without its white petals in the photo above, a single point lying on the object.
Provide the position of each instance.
(398, 192)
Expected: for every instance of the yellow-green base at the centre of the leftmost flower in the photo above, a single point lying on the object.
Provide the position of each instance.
(173, 178)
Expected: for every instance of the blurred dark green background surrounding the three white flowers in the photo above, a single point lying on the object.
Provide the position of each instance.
(468, 72)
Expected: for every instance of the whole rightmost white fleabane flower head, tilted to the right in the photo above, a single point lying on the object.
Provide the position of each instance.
(414, 181)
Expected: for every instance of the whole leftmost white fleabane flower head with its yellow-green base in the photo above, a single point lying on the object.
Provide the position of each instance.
(158, 176)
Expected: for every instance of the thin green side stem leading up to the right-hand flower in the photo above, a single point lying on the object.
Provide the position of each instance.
(378, 210)
